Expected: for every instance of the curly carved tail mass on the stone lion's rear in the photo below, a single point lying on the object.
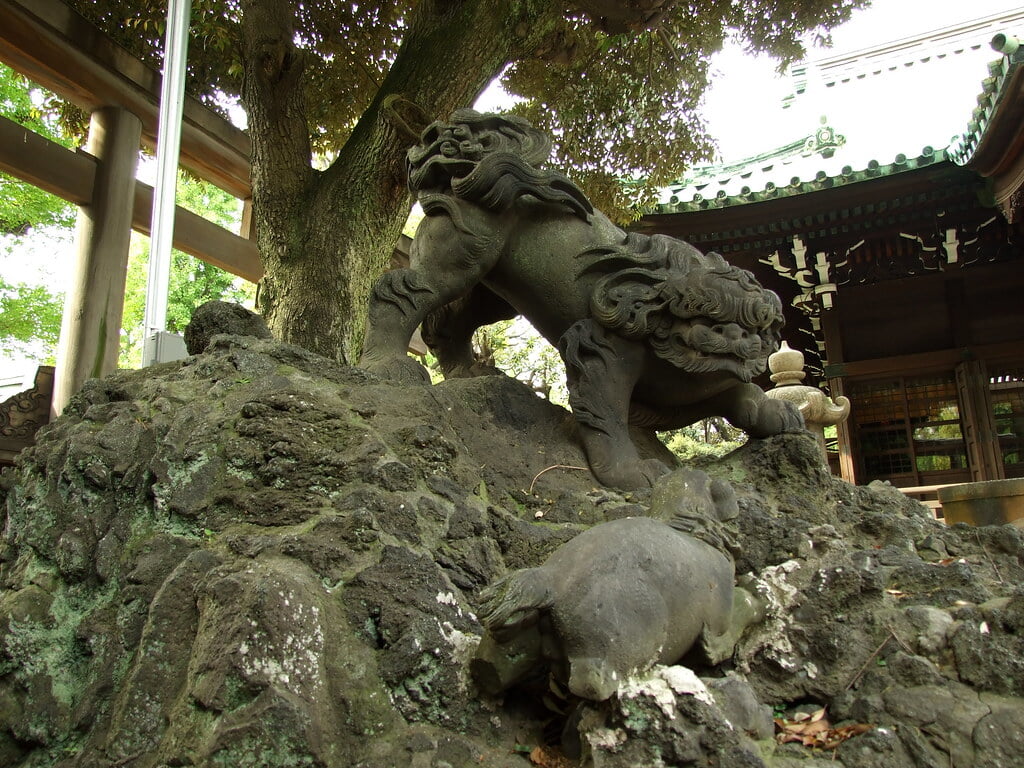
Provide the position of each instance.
(695, 311)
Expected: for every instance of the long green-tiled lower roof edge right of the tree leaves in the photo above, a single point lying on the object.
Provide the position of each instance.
(798, 187)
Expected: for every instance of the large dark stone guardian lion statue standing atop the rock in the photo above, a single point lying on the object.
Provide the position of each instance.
(653, 332)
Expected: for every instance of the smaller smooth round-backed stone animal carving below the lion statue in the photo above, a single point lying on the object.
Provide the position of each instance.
(620, 598)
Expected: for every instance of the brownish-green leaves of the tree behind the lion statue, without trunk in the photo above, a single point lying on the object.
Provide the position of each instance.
(621, 96)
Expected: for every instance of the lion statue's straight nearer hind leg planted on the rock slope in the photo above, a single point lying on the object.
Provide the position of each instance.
(602, 371)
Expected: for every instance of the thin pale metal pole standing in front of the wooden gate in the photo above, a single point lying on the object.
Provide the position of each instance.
(173, 94)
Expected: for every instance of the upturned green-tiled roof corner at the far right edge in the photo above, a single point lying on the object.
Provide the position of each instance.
(994, 144)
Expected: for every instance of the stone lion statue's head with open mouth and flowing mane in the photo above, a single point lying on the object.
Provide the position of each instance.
(491, 160)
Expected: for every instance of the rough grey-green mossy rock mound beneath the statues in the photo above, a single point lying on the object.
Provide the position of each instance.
(255, 558)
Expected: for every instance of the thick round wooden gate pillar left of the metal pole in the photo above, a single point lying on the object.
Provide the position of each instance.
(92, 325)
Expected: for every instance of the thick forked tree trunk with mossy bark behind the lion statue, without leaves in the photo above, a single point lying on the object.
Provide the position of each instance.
(325, 238)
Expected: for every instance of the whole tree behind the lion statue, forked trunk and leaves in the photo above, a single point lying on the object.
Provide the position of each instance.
(619, 86)
